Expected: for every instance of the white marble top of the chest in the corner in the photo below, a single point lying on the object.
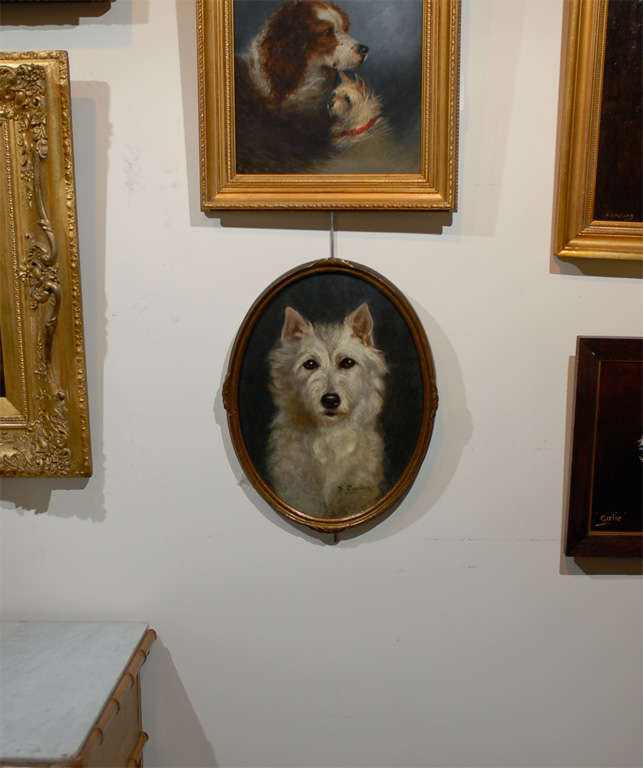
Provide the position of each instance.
(55, 678)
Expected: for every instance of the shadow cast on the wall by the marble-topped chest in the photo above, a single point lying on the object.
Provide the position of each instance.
(165, 700)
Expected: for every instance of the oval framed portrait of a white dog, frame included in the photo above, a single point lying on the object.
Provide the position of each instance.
(331, 395)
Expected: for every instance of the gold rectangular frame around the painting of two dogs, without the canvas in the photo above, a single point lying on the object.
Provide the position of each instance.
(433, 188)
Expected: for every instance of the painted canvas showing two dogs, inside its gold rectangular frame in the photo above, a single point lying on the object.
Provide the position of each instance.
(328, 87)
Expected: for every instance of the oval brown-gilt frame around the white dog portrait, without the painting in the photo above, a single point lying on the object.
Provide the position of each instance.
(394, 495)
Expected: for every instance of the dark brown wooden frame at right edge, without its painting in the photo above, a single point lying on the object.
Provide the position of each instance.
(591, 352)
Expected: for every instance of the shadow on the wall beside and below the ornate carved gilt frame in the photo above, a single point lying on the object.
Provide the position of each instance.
(90, 110)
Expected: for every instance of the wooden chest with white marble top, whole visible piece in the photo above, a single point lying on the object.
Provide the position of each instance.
(71, 694)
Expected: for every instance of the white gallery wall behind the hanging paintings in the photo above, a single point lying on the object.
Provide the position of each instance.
(453, 633)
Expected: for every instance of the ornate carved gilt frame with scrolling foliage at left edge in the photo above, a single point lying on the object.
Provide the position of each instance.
(44, 420)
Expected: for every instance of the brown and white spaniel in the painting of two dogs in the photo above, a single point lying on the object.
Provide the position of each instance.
(283, 81)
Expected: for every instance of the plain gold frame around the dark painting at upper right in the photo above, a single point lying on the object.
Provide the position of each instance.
(576, 232)
